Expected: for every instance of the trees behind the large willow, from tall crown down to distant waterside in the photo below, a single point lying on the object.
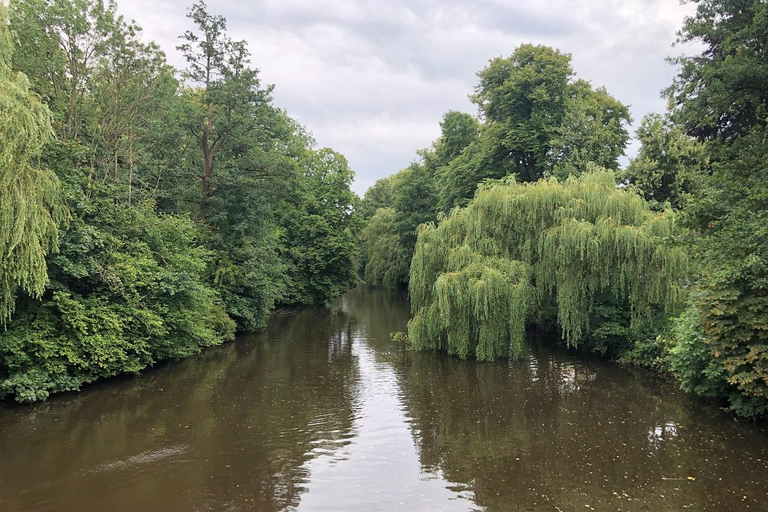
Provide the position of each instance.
(535, 121)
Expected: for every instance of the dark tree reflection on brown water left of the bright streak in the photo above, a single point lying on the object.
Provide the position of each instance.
(230, 429)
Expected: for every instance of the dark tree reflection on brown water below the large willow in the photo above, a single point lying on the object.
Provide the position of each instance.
(554, 430)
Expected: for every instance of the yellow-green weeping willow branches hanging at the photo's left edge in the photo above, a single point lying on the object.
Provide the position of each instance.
(30, 204)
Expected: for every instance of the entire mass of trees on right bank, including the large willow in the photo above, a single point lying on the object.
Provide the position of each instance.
(609, 266)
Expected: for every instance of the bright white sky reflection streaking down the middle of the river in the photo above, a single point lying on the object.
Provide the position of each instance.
(378, 470)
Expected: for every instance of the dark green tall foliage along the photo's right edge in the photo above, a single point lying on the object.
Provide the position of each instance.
(721, 98)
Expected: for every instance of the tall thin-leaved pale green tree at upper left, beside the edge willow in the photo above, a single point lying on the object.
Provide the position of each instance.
(107, 89)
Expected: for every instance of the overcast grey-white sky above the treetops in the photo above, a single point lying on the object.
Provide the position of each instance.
(372, 79)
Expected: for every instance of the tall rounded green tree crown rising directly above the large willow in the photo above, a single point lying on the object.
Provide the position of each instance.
(538, 121)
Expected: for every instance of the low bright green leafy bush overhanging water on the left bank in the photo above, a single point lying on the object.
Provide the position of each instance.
(140, 297)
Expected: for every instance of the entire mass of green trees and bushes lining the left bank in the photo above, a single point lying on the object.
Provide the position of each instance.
(194, 210)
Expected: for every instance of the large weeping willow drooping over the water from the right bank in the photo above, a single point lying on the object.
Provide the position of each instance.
(519, 250)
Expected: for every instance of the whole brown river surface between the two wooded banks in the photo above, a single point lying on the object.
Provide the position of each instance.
(324, 413)
